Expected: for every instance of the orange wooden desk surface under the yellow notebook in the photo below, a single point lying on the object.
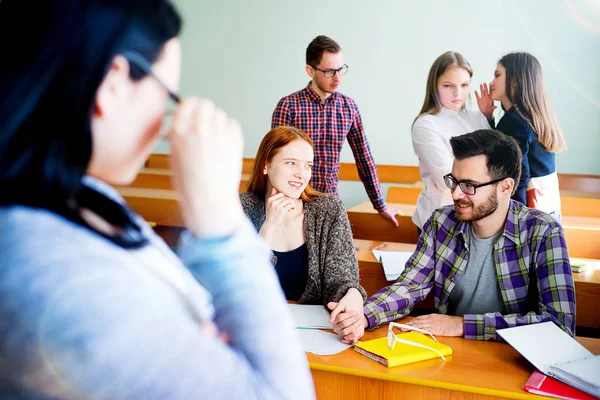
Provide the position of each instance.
(476, 367)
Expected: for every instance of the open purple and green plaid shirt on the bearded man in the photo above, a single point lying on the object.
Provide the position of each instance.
(532, 270)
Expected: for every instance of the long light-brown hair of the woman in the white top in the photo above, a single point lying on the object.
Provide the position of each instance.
(450, 59)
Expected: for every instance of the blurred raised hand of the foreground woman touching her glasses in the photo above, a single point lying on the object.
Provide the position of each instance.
(206, 159)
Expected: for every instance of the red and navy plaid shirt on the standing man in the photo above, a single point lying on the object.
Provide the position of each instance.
(328, 124)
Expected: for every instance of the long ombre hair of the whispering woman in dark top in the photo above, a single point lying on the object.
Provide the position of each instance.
(525, 88)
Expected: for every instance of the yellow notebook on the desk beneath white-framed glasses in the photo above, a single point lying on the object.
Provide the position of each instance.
(378, 350)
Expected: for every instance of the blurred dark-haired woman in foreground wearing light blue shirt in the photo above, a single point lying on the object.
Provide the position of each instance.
(93, 304)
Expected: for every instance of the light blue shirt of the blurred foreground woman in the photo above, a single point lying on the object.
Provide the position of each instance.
(83, 317)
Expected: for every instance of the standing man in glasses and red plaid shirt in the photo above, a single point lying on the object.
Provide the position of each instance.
(330, 117)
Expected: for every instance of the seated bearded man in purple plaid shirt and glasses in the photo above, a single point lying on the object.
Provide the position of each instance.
(491, 262)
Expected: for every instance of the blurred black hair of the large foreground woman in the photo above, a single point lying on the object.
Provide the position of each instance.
(59, 55)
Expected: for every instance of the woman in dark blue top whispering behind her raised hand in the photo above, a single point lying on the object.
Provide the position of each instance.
(519, 86)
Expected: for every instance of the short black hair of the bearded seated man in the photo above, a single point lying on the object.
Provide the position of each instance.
(502, 152)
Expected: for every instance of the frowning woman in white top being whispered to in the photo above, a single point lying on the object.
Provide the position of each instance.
(444, 114)
